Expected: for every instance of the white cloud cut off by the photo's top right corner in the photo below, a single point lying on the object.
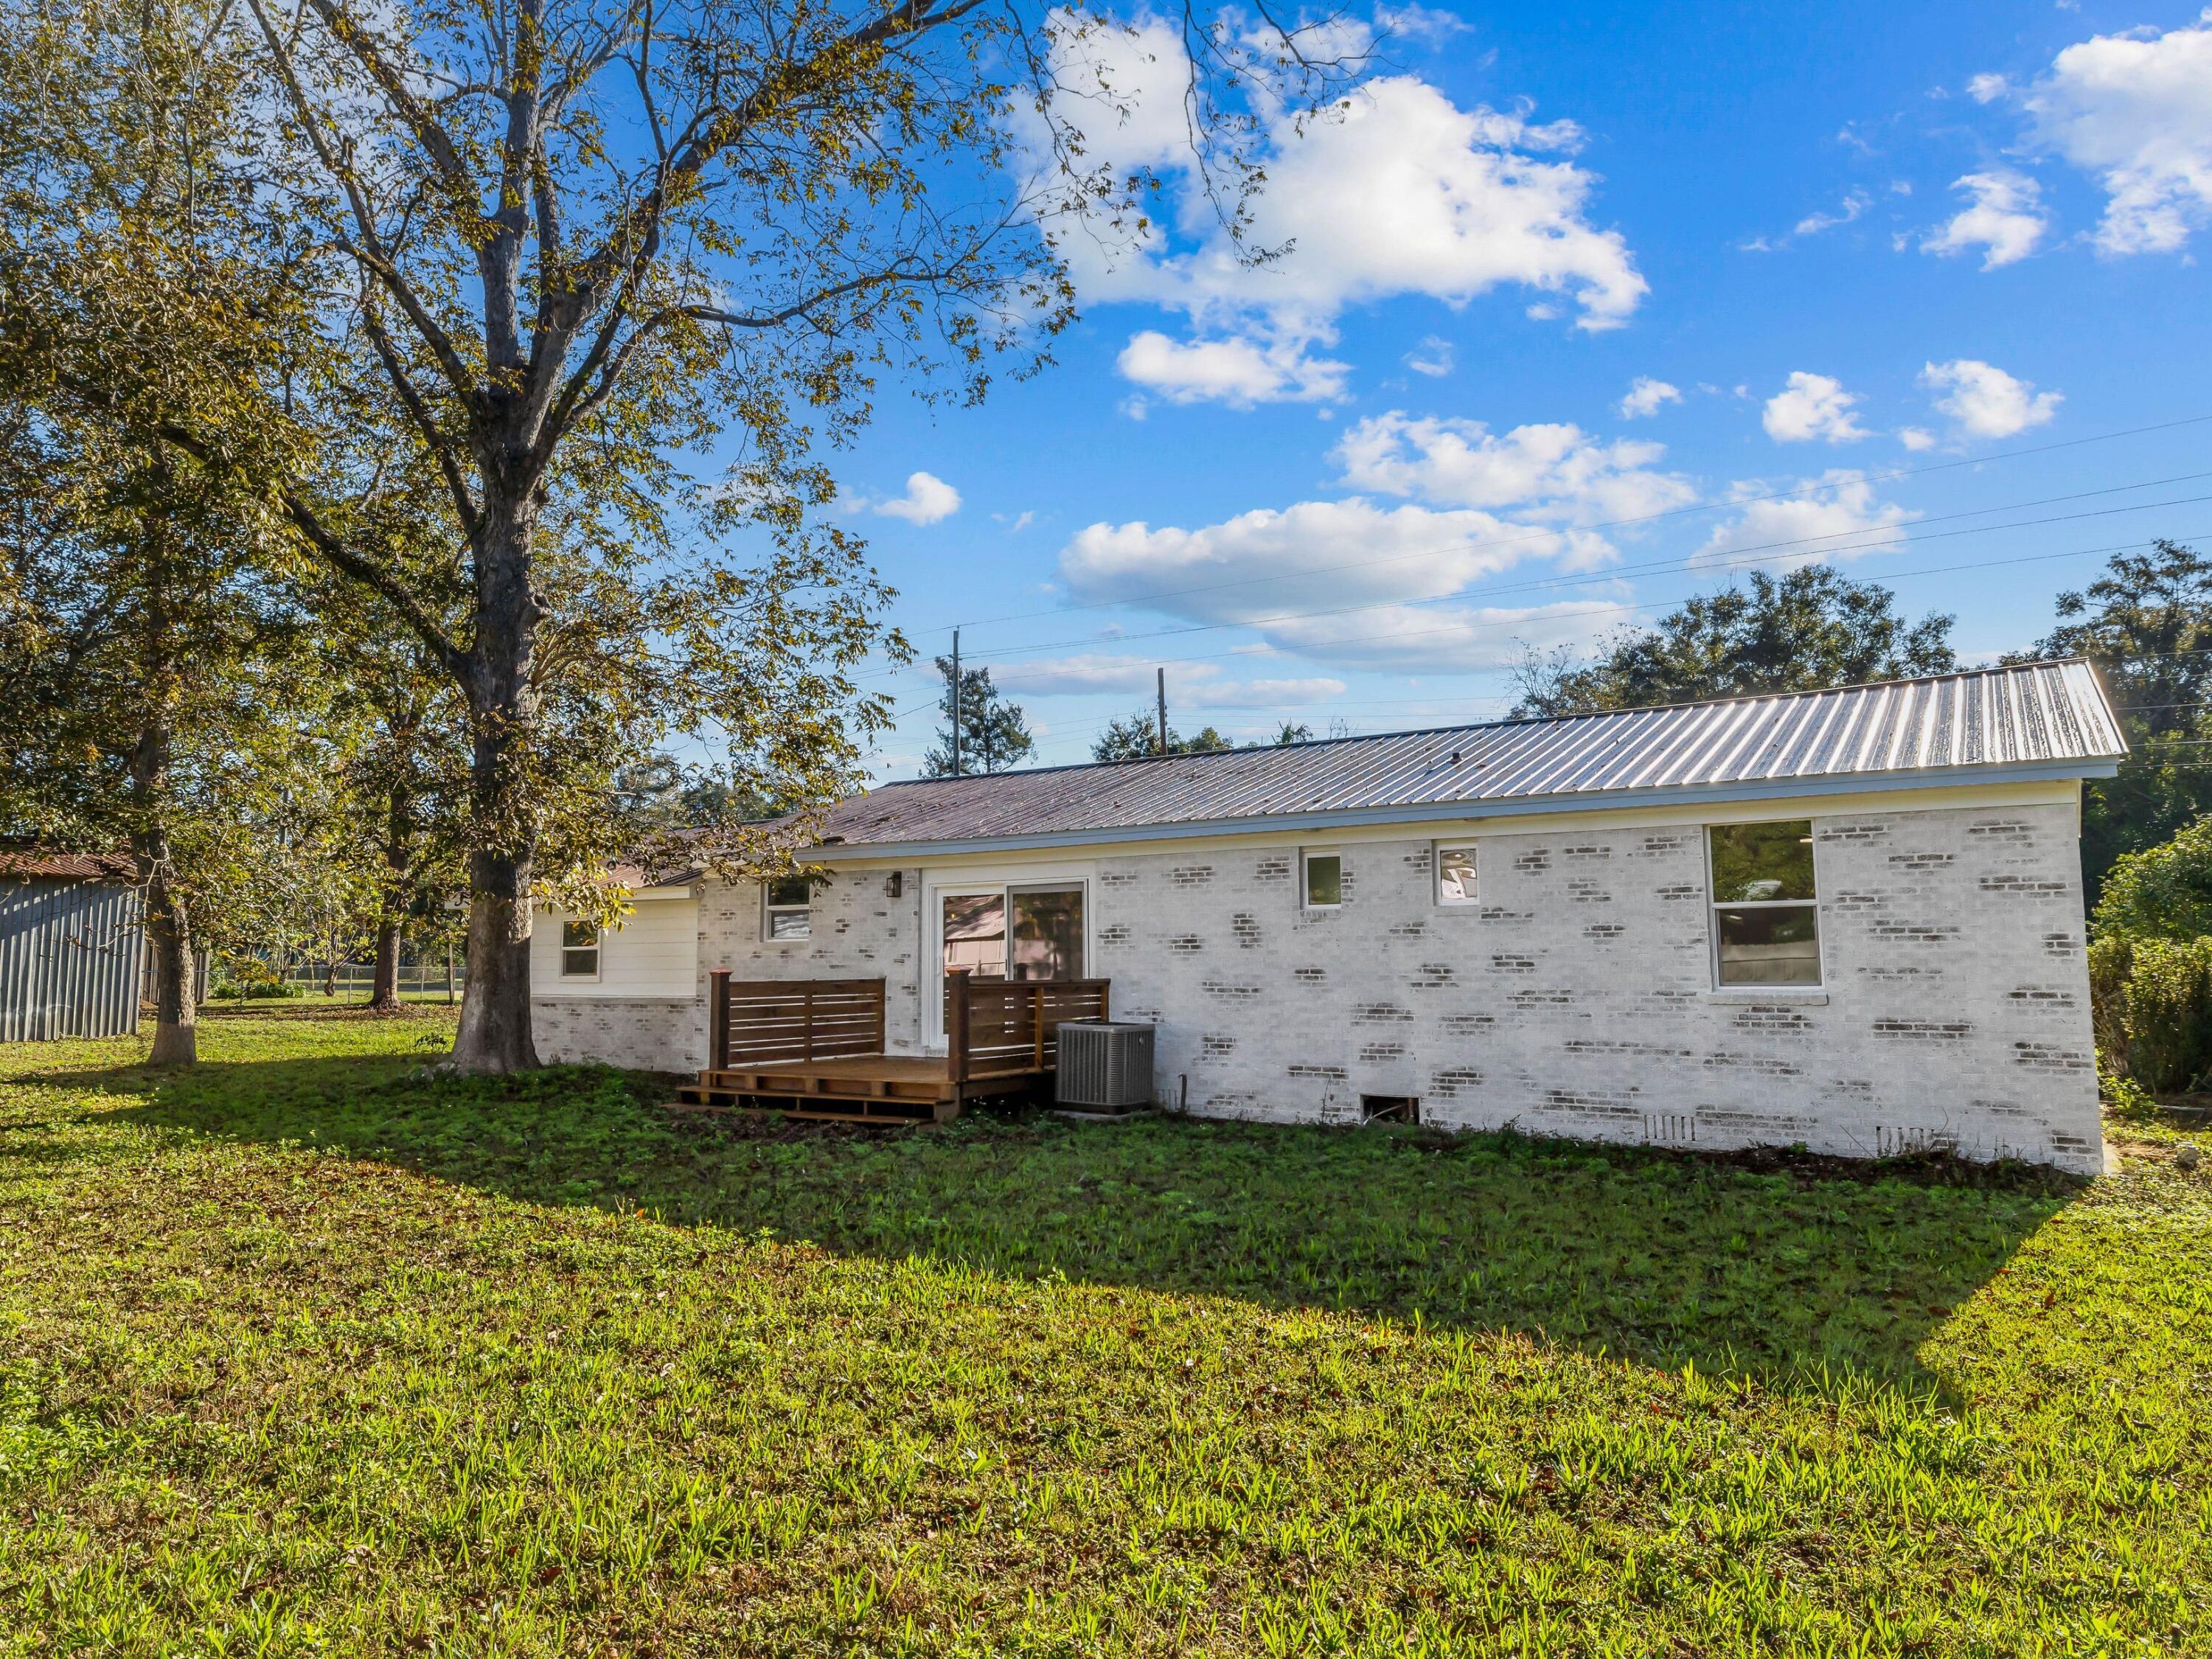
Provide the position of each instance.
(2136, 109)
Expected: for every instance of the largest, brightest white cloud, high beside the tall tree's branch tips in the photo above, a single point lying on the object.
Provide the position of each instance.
(1399, 191)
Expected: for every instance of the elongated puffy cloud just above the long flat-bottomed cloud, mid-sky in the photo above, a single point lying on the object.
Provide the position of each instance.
(1552, 472)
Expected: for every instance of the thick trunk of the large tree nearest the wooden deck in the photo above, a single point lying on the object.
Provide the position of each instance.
(503, 705)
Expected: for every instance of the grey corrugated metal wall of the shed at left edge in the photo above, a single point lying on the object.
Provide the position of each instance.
(70, 959)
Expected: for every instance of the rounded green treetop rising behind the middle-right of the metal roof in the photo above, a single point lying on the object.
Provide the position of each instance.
(1802, 632)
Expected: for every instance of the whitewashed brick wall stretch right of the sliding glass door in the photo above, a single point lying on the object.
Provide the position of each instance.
(1578, 997)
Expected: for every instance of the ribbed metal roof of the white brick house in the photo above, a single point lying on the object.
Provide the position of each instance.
(2023, 722)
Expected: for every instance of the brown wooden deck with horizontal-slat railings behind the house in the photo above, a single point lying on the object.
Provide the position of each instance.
(815, 1047)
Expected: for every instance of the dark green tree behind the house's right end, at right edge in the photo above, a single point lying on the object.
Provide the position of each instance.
(2147, 625)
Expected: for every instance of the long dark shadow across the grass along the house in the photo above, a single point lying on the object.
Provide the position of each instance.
(1634, 1253)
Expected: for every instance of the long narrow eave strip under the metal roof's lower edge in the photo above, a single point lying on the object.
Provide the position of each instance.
(1795, 789)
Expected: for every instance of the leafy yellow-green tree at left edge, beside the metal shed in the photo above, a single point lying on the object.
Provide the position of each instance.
(152, 669)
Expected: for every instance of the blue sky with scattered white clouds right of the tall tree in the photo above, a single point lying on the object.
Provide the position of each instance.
(1890, 278)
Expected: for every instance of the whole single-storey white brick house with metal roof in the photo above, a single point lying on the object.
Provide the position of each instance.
(1841, 919)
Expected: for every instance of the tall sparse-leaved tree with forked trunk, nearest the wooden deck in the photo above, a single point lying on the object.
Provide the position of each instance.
(583, 236)
